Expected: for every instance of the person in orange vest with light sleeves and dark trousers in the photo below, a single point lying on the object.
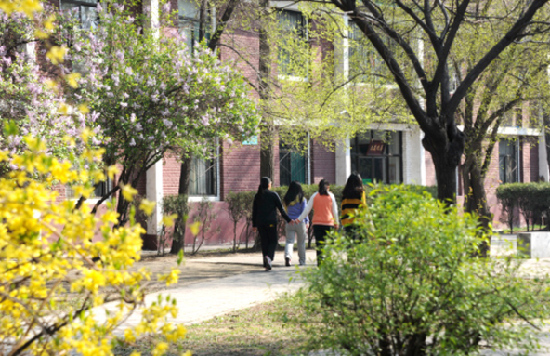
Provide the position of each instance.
(325, 215)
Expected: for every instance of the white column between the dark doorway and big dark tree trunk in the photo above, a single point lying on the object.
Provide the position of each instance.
(414, 158)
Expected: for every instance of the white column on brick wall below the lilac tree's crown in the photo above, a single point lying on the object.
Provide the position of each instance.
(155, 192)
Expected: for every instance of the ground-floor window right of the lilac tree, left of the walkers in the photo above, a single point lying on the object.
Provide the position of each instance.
(203, 178)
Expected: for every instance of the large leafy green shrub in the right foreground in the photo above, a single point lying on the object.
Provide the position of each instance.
(411, 287)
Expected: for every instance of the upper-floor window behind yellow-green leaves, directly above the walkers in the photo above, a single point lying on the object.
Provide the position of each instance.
(294, 38)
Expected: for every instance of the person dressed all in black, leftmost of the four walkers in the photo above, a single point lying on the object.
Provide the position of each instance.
(264, 219)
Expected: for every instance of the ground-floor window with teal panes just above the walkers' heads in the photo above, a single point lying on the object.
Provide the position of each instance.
(293, 165)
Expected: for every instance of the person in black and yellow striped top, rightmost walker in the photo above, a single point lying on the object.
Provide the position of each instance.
(353, 198)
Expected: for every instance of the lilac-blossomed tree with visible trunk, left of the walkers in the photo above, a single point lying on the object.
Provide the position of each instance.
(149, 94)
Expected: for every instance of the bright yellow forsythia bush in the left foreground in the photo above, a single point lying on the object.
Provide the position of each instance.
(49, 284)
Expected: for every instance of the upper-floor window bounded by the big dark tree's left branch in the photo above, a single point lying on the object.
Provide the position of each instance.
(364, 62)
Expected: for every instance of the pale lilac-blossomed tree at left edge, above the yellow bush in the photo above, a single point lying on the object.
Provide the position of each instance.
(30, 99)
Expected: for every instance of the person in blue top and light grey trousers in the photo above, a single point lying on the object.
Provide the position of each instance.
(295, 203)
